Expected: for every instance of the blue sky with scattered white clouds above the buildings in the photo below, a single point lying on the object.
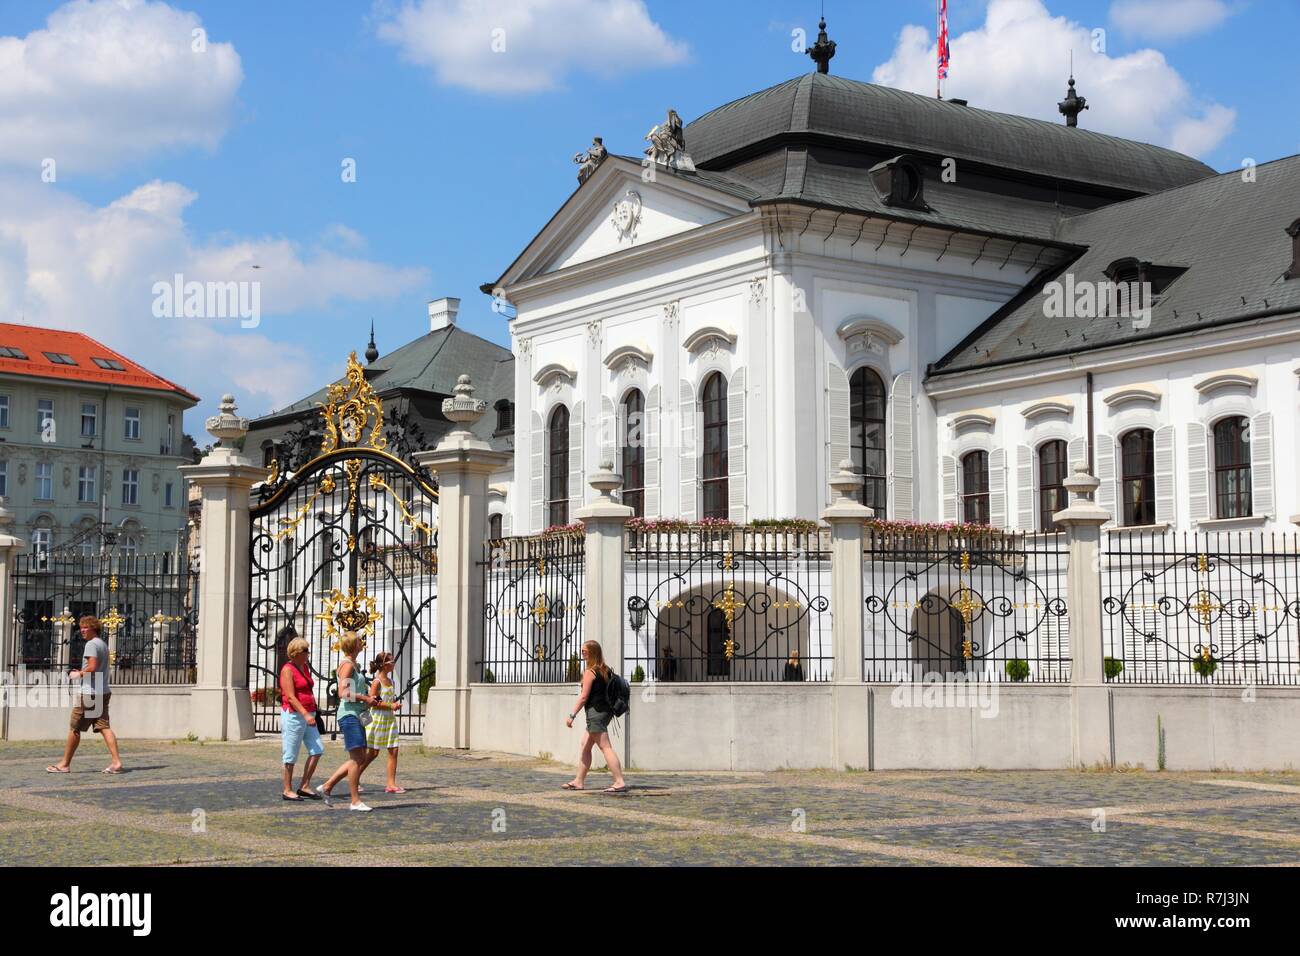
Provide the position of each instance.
(454, 179)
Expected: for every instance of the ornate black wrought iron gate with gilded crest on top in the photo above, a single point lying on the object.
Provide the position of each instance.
(346, 543)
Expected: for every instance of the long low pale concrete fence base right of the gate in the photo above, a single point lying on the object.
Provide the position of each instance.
(740, 726)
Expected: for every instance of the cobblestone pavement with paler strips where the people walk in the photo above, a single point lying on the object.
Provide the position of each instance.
(193, 804)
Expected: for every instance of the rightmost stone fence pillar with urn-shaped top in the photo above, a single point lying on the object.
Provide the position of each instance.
(1090, 706)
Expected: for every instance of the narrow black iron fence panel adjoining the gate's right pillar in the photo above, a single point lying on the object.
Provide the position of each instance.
(534, 608)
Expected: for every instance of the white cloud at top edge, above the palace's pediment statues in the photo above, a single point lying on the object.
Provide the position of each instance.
(527, 46)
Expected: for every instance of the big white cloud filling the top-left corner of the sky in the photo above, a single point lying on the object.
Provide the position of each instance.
(111, 81)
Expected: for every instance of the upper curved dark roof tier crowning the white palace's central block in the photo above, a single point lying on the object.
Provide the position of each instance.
(837, 109)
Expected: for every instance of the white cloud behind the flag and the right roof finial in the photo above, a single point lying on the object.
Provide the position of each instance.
(1019, 63)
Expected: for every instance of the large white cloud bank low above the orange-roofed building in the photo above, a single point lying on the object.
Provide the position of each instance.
(68, 265)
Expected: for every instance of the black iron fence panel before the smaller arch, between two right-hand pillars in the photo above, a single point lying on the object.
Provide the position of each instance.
(983, 604)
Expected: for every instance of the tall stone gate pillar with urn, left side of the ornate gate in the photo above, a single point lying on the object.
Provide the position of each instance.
(220, 708)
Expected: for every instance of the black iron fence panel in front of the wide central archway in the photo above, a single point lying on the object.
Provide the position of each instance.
(717, 604)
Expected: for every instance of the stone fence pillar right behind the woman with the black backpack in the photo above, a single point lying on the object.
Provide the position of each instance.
(605, 521)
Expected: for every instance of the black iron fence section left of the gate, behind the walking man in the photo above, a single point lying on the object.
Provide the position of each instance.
(148, 605)
